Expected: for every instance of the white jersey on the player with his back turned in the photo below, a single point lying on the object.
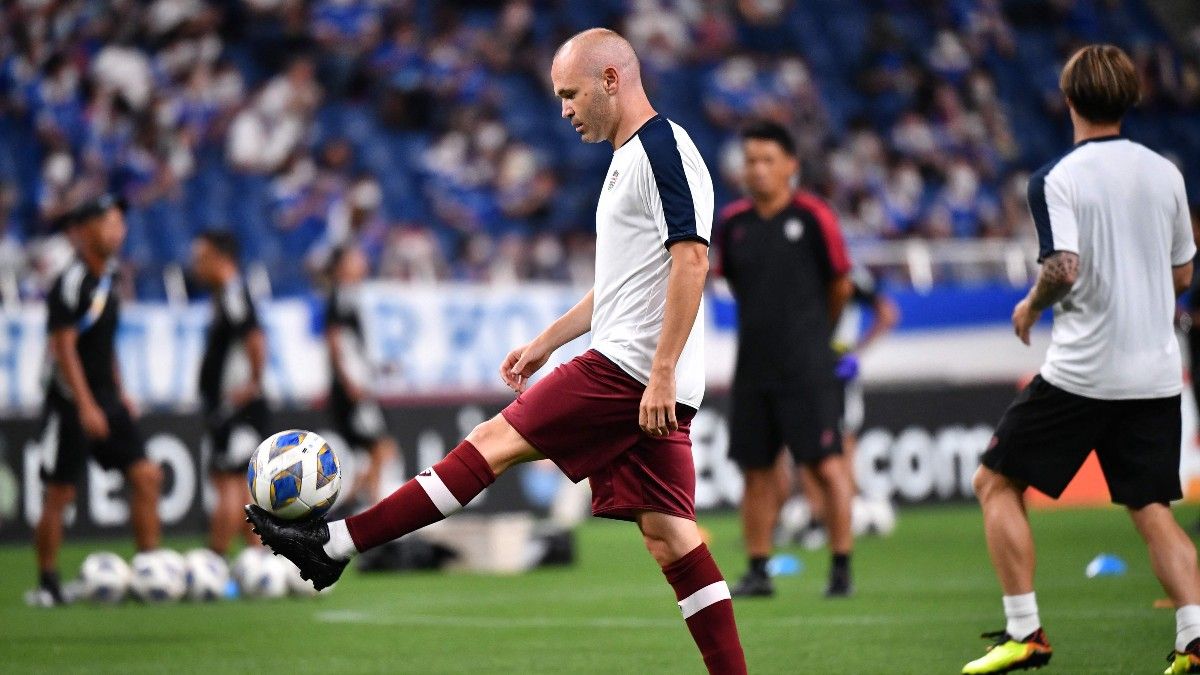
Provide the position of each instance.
(1124, 210)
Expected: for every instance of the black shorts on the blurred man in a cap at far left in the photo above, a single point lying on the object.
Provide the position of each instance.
(65, 447)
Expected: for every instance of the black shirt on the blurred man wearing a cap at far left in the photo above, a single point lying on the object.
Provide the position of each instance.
(87, 303)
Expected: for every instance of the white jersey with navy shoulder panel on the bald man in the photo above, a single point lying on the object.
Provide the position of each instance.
(657, 193)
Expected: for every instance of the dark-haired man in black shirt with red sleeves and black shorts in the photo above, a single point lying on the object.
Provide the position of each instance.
(784, 258)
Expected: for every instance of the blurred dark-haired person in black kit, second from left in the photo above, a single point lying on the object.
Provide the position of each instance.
(236, 414)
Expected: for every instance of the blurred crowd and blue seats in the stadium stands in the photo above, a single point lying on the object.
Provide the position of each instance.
(428, 132)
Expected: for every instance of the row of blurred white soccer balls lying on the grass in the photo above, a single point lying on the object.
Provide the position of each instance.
(166, 576)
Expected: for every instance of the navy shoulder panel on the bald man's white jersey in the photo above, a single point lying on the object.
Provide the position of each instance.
(667, 164)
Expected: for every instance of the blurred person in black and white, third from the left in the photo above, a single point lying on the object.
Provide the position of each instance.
(357, 416)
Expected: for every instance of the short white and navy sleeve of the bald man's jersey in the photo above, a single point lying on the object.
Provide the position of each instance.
(676, 186)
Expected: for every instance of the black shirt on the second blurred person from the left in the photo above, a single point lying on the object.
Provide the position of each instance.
(226, 366)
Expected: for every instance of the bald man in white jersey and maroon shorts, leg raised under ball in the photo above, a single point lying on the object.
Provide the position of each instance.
(620, 415)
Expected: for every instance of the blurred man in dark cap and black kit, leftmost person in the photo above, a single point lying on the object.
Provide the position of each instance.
(87, 415)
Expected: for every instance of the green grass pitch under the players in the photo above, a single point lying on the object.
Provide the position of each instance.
(922, 599)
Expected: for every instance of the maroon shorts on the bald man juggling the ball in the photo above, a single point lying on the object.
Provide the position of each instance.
(584, 416)
